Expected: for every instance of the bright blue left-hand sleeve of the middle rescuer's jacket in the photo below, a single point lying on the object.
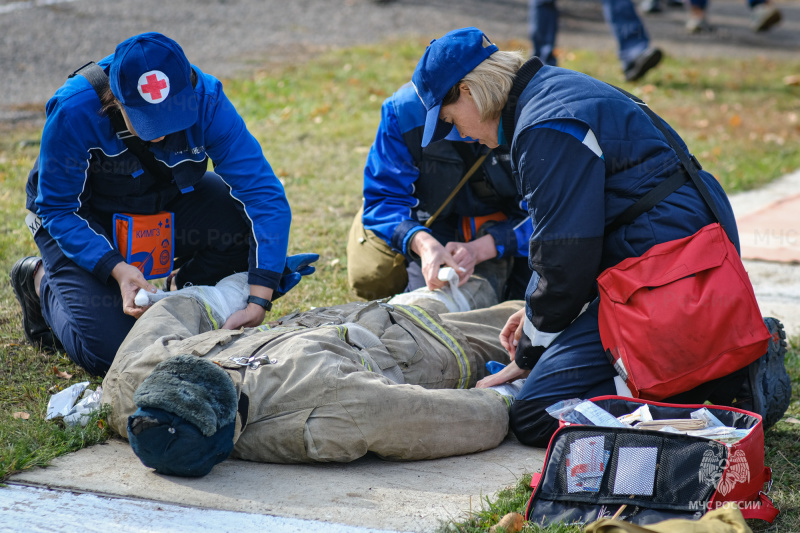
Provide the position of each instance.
(389, 177)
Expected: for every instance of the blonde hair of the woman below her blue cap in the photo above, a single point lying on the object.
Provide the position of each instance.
(489, 83)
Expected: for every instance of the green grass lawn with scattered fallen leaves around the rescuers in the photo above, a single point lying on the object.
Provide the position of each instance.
(315, 120)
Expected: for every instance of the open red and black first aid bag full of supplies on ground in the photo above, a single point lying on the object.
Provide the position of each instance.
(589, 472)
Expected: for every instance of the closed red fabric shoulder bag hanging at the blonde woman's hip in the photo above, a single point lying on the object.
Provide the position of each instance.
(680, 315)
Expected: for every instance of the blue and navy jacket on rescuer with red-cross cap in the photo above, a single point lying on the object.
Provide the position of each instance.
(85, 174)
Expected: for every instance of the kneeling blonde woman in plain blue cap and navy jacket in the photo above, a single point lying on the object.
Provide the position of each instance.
(582, 153)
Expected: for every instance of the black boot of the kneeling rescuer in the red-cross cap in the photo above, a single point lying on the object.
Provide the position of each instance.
(36, 329)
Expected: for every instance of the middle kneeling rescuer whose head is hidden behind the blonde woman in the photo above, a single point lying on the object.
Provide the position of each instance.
(484, 229)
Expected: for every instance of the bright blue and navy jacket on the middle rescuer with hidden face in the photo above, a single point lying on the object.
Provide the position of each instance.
(404, 184)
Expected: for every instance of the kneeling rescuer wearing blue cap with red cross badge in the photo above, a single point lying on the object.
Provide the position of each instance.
(234, 219)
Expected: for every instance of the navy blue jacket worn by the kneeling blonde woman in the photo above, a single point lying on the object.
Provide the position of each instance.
(582, 153)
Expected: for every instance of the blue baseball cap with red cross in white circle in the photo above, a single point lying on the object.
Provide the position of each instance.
(151, 78)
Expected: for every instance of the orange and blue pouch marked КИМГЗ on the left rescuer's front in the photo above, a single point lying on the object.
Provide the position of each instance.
(146, 242)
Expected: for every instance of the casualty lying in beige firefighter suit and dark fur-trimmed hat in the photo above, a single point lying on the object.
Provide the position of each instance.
(329, 384)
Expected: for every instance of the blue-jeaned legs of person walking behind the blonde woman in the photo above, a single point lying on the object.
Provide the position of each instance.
(634, 50)
